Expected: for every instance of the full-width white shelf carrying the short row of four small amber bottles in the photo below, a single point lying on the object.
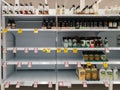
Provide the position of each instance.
(59, 61)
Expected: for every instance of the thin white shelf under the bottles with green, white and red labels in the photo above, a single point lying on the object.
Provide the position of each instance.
(54, 48)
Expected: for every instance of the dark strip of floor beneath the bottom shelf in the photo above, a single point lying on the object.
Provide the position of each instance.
(74, 87)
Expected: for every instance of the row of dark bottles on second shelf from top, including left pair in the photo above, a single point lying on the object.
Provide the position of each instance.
(73, 24)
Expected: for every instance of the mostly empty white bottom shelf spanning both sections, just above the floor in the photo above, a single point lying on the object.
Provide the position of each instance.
(27, 78)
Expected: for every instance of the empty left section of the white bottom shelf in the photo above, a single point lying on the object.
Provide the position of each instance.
(27, 78)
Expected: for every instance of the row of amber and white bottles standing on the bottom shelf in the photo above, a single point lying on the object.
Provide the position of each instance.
(90, 73)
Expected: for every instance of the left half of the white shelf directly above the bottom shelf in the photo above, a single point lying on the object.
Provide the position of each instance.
(34, 61)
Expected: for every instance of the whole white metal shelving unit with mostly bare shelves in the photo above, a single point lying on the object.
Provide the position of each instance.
(49, 67)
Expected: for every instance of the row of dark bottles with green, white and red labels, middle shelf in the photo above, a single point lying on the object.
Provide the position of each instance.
(91, 42)
